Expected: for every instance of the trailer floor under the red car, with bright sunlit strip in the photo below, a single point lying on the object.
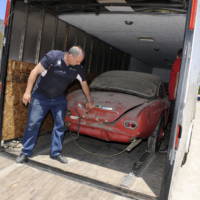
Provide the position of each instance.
(114, 170)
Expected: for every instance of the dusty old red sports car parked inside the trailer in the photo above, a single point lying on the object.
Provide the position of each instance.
(128, 105)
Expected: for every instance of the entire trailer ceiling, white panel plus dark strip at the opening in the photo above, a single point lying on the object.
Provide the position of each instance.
(151, 31)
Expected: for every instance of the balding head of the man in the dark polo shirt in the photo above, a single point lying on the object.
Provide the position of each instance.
(74, 56)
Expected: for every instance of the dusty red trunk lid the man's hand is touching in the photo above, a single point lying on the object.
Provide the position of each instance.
(108, 105)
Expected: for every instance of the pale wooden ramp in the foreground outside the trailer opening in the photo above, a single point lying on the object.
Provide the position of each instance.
(22, 182)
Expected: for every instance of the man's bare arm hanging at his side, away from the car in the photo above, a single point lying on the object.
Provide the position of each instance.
(38, 69)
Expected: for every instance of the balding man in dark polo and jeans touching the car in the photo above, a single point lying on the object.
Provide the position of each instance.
(56, 70)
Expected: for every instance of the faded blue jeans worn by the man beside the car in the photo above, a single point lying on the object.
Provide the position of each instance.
(38, 108)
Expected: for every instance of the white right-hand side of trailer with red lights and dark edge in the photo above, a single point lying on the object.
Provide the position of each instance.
(184, 113)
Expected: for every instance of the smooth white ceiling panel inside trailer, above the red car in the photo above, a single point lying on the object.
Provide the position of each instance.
(166, 30)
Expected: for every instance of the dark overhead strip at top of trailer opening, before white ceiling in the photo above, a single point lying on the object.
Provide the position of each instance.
(103, 6)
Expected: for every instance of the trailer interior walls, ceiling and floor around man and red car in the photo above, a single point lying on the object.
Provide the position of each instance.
(133, 35)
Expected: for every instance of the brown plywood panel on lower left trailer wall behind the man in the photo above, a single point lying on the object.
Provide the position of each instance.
(15, 113)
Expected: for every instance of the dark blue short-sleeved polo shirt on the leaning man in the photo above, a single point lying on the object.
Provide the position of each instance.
(57, 75)
